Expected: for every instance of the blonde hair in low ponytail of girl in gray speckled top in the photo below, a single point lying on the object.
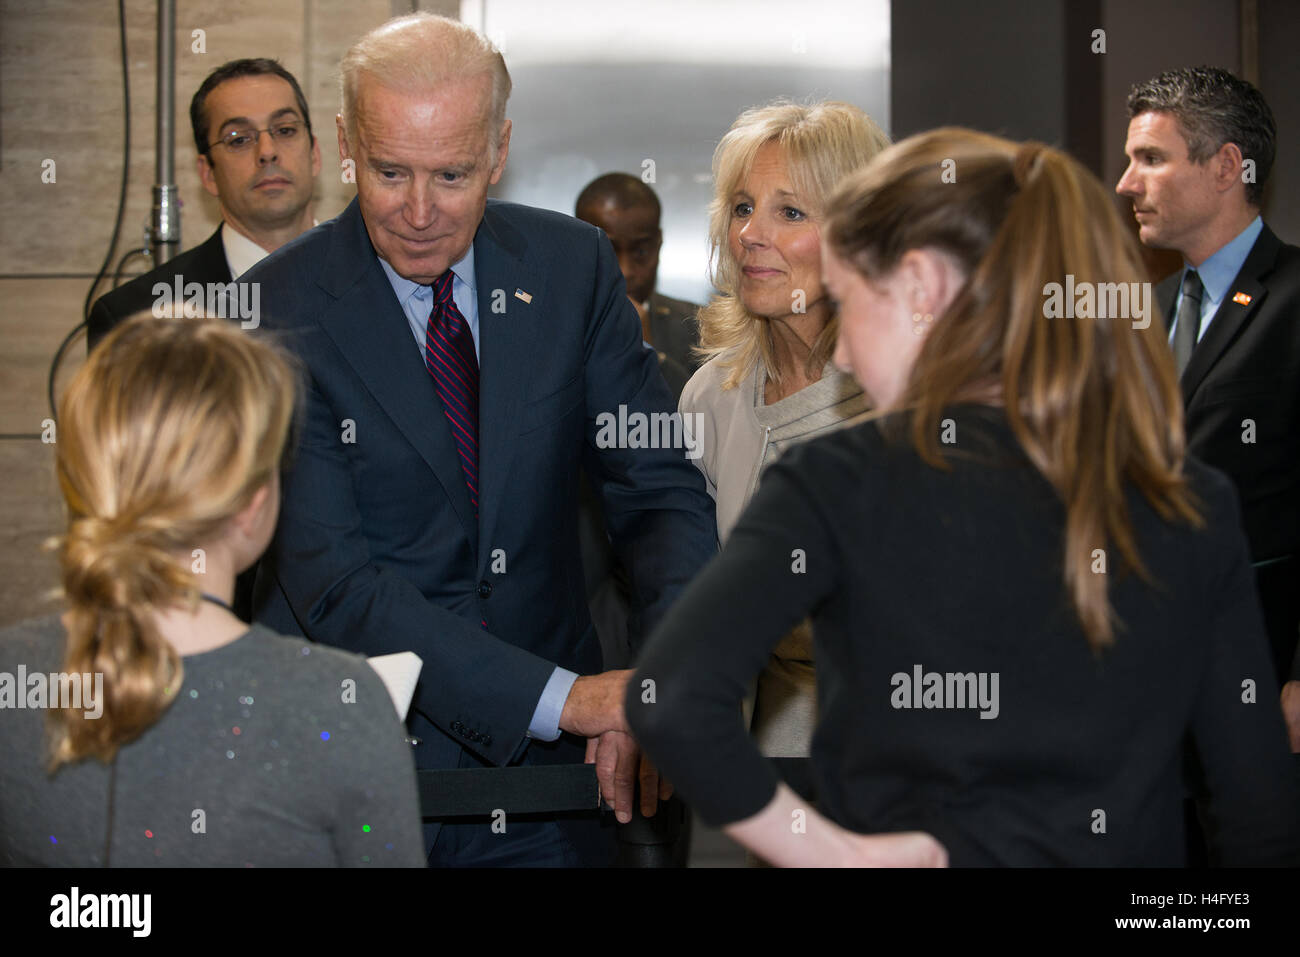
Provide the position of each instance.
(166, 434)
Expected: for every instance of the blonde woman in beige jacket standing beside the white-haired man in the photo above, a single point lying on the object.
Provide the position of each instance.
(769, 335)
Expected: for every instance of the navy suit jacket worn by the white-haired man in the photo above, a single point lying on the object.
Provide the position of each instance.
(379, 548)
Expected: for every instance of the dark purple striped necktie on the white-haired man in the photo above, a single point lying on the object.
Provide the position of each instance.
(449, 354)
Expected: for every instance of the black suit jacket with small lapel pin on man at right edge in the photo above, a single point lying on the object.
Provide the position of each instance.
(1247, 367)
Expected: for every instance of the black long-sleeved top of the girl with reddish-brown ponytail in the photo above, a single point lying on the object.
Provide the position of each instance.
(912, 571)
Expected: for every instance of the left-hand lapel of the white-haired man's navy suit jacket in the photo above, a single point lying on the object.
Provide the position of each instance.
(372, 334)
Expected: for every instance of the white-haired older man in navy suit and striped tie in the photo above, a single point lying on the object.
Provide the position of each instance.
(460, 354)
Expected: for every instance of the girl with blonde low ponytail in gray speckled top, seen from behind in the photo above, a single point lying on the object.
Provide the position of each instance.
(157, 729)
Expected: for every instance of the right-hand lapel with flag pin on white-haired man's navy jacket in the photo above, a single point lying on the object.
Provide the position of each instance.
(508, 348)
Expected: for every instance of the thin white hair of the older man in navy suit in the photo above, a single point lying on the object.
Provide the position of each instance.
(422, 53)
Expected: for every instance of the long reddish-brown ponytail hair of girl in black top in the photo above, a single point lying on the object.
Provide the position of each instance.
(1094, 402)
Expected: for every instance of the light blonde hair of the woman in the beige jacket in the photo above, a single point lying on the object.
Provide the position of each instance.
(822, 144)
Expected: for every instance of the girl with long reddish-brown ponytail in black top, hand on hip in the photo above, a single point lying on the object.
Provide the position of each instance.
(1026, 599)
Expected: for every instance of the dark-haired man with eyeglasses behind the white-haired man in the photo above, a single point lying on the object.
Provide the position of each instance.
(259, 158)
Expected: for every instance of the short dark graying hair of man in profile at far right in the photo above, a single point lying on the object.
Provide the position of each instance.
(1214, 109)
